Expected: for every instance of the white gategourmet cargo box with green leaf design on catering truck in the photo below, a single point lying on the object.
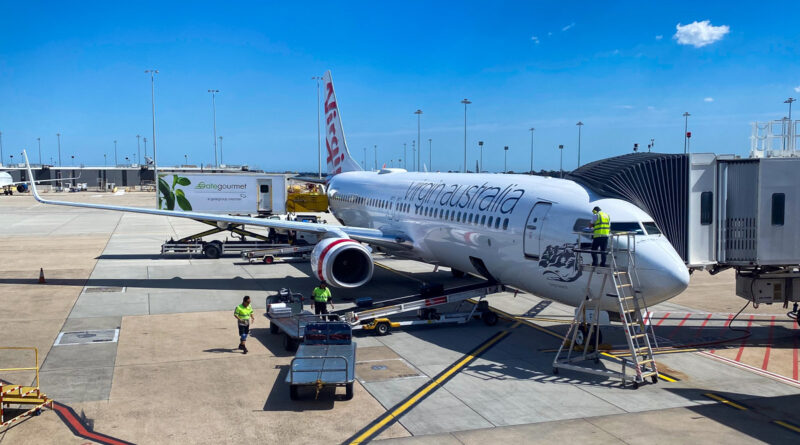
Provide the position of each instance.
(223, 193)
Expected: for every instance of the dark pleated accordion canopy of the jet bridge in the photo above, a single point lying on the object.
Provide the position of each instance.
(657, 183)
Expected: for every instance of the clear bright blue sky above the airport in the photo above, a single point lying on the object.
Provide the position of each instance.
(77, 68)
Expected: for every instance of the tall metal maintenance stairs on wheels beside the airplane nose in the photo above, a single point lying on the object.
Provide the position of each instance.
(583, 339)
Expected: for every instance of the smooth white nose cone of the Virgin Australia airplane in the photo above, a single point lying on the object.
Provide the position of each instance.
(662, 274)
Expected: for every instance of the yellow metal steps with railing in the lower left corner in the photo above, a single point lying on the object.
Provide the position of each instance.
(29, 397)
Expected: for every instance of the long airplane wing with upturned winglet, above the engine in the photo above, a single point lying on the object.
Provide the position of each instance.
(366, 235)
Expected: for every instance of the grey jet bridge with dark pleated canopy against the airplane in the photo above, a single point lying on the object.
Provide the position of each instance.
(719, 212)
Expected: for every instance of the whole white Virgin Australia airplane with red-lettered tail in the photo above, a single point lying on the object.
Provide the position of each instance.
(516, 229)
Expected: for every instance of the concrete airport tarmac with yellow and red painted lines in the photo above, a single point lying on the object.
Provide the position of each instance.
(158, 364)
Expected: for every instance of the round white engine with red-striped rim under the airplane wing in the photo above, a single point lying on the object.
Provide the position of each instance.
(342, 262)
